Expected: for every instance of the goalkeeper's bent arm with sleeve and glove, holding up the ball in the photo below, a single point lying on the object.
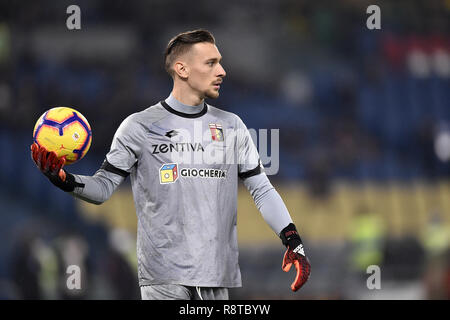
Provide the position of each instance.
(98, 188)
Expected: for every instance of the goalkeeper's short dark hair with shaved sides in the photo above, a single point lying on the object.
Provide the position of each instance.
(181, 44)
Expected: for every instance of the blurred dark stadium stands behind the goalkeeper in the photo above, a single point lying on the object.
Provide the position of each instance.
(364, 119)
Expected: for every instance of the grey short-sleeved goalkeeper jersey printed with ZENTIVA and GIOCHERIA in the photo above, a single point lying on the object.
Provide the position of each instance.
(184, 163)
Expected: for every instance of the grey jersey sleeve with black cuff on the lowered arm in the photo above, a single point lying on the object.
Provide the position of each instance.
(249, 163)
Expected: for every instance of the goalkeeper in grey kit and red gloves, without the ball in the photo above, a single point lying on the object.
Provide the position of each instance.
(187, 210)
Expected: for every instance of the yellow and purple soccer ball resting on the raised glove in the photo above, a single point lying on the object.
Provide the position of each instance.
(64, 131)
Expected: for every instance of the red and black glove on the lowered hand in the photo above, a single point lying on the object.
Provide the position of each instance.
(295, 255)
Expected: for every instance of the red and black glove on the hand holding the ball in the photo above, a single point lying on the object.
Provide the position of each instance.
(52, 167)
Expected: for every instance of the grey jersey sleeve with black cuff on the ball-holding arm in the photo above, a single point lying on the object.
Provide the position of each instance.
(125, 147)
